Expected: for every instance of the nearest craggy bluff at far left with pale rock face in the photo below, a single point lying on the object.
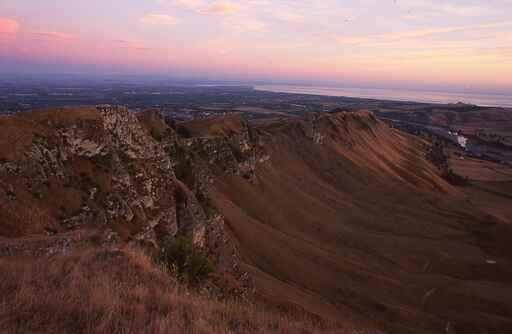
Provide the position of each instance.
(95, 166)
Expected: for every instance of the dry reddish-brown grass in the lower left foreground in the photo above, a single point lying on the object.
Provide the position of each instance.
(121, 291)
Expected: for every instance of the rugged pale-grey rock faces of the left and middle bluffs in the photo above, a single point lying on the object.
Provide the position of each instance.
(112, 170)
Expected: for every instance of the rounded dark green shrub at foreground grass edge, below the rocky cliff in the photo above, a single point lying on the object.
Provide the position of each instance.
(179, 255)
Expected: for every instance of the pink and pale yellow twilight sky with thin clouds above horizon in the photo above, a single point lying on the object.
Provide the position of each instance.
(416, 44)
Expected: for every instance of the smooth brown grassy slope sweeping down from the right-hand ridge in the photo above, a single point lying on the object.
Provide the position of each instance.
(349, 219)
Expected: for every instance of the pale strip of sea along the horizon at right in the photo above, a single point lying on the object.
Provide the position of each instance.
(491, 100)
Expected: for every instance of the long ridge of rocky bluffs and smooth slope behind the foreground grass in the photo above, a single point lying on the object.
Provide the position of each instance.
(336, 214)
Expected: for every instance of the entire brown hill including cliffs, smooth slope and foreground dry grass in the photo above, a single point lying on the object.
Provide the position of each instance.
(334, 218)
